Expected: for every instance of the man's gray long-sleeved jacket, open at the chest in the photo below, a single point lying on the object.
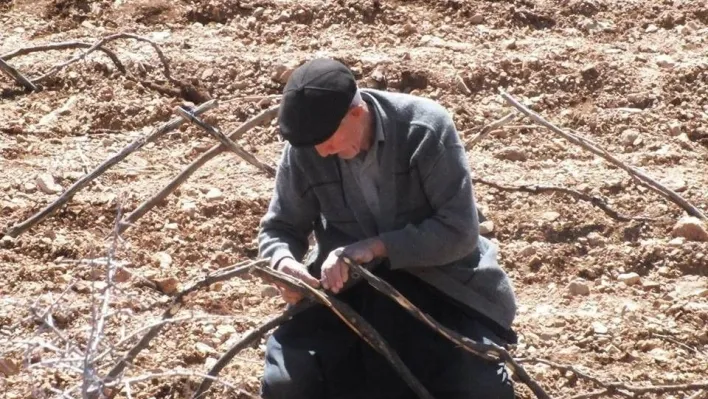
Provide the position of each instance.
(430, 225)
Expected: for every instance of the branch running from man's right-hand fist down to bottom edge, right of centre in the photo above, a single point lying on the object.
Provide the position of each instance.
(489, 352)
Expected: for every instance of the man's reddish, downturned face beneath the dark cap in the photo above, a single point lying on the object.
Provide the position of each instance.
(347, 140)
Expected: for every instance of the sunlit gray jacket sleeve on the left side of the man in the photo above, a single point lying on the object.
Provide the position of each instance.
(289, 220)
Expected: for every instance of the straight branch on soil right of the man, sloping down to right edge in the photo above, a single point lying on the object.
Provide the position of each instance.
(597, 150)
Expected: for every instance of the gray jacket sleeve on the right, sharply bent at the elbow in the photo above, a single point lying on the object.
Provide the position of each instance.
(452, 231)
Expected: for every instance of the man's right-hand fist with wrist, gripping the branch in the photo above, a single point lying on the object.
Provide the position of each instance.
(335, 272)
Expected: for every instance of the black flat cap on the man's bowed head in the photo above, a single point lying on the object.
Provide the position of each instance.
(315, 99)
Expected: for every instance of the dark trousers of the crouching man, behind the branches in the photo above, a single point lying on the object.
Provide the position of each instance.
(316, 356)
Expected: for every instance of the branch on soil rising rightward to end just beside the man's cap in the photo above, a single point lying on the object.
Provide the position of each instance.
(141, 210)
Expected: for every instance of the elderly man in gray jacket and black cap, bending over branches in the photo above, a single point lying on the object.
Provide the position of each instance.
(382, 177)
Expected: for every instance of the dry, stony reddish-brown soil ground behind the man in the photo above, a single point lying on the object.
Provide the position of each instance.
(630, 75)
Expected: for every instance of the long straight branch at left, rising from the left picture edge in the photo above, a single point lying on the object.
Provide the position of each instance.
(20, 228)
